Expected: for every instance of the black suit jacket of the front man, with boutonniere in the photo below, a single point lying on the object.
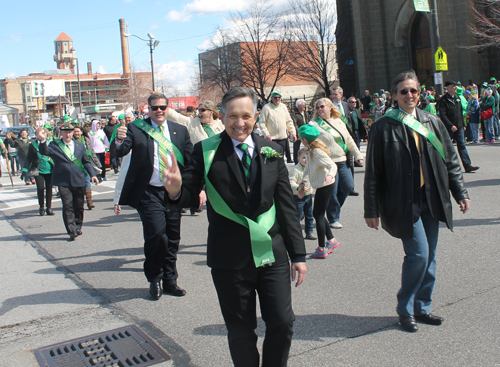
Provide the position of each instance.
(229, 244)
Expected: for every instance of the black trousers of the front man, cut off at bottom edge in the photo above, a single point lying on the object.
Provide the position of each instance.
(237, 290)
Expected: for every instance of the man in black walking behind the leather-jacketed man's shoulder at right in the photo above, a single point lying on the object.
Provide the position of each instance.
(451, 113)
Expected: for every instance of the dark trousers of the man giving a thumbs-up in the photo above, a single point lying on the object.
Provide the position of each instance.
(161, 226)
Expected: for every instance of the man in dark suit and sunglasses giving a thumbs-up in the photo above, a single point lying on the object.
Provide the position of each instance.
(143, 190)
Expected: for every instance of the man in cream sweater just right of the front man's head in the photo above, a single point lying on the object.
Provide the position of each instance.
(274, 122)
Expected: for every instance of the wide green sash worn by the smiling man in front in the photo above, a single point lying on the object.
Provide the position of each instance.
(262, 246)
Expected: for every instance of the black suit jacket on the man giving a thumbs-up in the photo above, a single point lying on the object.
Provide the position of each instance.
(142, 161)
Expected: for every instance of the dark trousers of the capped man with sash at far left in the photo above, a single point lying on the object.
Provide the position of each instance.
(73, 201)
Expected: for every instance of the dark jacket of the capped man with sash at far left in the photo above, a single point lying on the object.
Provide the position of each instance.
(65, 172)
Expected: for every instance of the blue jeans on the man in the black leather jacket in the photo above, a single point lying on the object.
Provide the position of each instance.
(419, 266)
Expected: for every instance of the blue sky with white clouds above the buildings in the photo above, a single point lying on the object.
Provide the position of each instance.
(183, 27)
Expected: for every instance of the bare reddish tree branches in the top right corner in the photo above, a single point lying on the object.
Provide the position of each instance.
(486, 26)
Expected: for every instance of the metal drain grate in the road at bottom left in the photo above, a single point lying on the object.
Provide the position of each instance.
(124, 347)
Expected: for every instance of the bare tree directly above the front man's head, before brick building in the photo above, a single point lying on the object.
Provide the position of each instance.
(264, 47)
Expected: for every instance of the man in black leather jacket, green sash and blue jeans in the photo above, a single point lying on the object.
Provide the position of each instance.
(411, 167)
